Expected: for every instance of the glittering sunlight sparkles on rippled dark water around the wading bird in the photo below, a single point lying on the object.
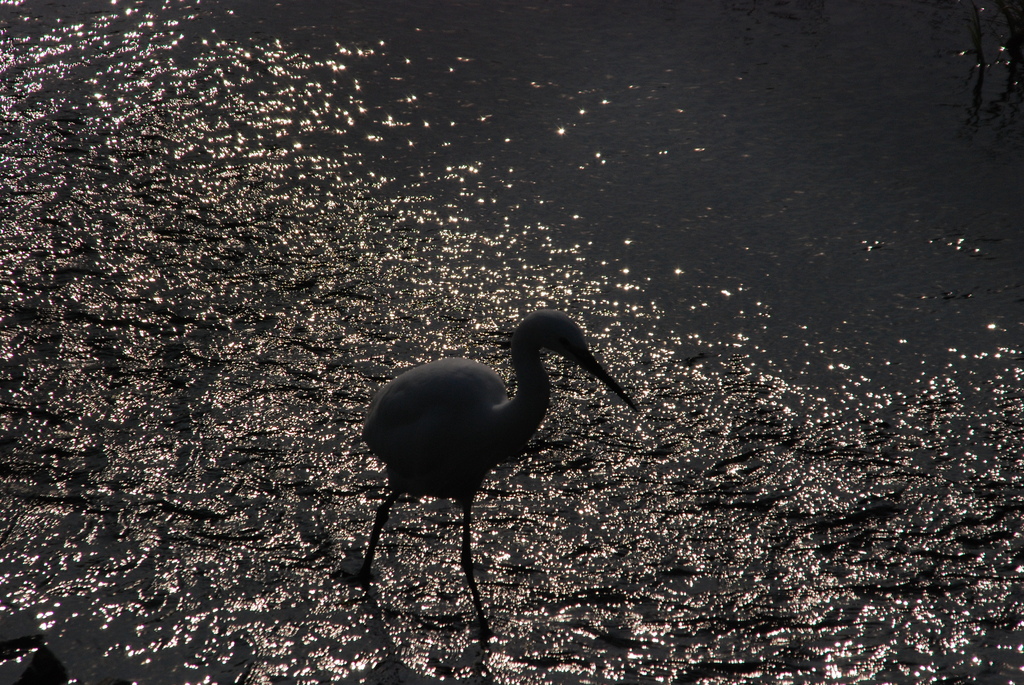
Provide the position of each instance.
(211, 261)
